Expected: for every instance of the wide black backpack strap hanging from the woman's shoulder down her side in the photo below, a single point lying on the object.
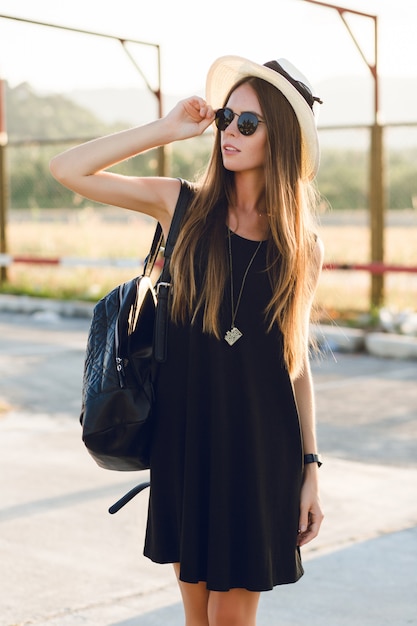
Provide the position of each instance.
(164, 282)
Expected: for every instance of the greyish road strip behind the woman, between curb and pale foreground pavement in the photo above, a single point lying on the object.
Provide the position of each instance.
(367, 407)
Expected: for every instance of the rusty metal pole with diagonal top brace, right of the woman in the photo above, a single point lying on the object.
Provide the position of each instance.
(377, 199)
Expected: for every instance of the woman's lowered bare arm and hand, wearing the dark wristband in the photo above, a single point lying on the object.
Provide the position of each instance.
(311, 514)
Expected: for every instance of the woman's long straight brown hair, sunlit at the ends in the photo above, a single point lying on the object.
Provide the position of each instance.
(288, 201)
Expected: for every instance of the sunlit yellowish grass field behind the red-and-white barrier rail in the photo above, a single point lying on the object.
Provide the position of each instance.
(111, 233)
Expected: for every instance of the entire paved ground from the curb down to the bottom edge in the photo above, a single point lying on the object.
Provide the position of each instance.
(64, 561)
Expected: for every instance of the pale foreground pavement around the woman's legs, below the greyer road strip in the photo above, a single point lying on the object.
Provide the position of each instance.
(65, 561)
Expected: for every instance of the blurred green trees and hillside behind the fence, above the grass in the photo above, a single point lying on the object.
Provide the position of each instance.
(40, 126)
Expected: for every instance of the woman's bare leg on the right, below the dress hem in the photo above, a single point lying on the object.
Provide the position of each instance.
(237, 607)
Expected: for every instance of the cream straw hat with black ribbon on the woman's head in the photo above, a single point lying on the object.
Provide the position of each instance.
(228, 70)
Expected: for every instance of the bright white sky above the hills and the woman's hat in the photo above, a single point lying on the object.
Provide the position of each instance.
(192, 34)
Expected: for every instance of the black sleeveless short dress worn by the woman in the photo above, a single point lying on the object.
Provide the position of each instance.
(226, 463)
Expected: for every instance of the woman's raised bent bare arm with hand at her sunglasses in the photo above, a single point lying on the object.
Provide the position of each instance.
(83, 168)
